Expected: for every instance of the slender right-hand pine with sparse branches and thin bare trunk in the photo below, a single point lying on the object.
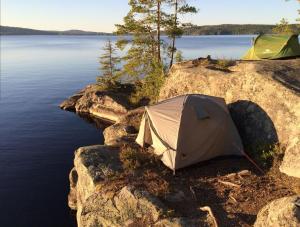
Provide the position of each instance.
(174, 28)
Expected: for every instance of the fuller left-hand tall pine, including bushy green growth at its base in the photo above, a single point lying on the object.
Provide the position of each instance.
(143, 62)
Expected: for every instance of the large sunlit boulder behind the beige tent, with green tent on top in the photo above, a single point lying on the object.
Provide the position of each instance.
(263, 97)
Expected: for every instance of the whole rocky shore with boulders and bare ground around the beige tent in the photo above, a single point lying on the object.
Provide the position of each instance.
(264, 103)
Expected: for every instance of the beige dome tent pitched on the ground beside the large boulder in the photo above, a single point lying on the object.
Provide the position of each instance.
(188, 129)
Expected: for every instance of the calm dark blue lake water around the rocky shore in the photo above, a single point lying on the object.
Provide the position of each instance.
(37, 139)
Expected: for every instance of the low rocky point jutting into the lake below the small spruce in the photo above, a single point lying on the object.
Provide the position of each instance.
(107, 105)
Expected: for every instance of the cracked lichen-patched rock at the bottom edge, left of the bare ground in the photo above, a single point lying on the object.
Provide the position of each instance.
(115, 209)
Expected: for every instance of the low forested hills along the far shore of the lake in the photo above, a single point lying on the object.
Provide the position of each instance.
(224, 29)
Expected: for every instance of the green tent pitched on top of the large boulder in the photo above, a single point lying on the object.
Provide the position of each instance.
(274, 47)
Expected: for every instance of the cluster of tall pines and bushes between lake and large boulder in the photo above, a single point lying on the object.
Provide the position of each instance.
(143, 64)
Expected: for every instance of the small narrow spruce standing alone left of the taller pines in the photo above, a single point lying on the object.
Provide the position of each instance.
(109, 66)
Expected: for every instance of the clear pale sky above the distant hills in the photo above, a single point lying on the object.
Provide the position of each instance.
(101, 15)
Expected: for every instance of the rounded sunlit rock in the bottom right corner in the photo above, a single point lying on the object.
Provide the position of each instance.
(282, 212)
